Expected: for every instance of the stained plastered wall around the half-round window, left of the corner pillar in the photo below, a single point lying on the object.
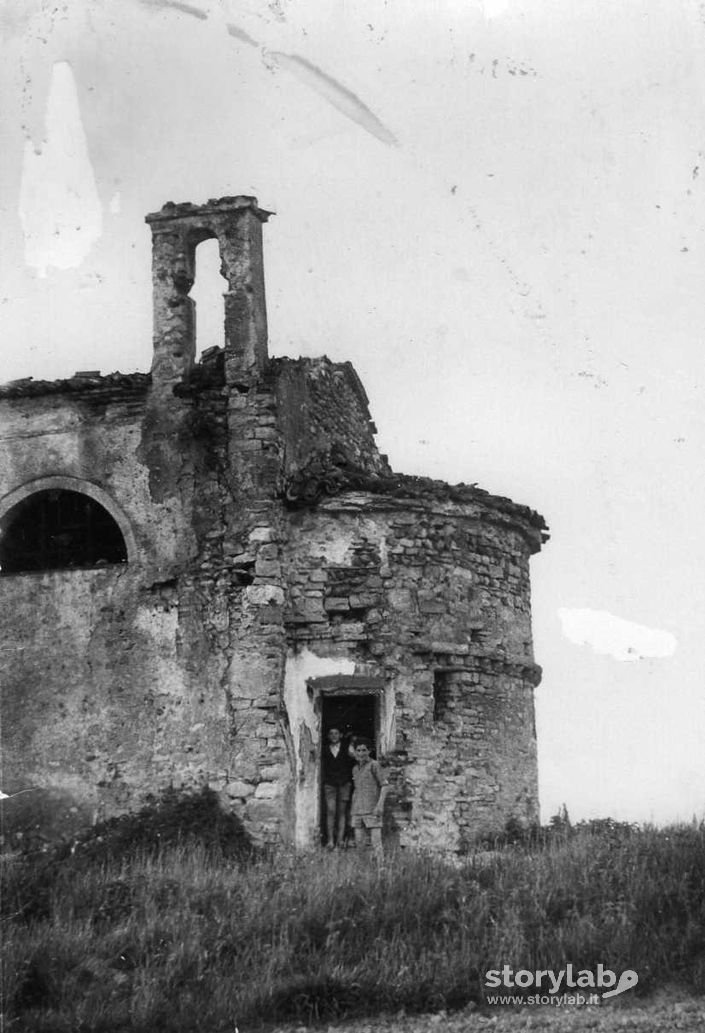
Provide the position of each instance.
(103, 670)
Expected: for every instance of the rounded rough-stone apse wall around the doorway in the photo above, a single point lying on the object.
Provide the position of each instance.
(431, 599)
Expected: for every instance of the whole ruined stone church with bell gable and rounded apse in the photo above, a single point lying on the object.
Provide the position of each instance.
(206, 567)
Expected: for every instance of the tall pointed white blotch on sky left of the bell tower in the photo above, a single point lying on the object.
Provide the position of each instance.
(59, 205)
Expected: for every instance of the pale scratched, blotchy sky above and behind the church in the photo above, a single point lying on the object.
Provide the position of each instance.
(497, 211)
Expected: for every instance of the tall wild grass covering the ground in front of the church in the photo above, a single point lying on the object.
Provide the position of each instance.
(186, 940)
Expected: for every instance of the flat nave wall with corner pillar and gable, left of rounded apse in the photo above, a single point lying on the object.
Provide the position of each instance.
(168, 671)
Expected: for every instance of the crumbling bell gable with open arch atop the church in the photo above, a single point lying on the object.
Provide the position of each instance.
(177, 232)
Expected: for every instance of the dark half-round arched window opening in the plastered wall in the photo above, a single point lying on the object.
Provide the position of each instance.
(54, 530)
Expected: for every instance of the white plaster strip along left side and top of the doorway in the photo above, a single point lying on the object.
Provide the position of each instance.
(304, 724)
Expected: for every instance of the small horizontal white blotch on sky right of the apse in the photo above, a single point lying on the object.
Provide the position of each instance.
(615, 637)
